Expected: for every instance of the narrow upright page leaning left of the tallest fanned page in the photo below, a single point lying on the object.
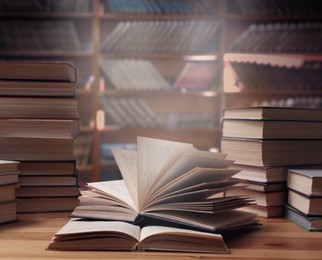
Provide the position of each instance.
(127, 162)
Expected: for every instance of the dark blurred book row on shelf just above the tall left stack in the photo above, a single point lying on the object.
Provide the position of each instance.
(39, 35)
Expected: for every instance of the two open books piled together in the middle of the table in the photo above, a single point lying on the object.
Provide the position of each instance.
(169, 199)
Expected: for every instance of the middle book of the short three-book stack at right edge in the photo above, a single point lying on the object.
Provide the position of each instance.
(309, 205)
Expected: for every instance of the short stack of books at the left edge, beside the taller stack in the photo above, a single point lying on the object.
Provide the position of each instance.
(8, 185)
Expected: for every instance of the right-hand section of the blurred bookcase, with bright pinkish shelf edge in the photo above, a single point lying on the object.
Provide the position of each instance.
(277, 42)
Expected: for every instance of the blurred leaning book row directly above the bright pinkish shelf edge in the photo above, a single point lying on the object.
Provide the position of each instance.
(278, 37)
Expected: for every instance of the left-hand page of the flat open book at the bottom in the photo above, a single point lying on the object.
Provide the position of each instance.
(74, 227)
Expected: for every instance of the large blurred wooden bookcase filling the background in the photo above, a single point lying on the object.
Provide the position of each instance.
(147, 56)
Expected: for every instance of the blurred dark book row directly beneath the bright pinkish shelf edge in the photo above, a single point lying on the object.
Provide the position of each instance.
(258, 76)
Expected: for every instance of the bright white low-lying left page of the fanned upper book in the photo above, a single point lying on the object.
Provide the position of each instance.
(116, 188)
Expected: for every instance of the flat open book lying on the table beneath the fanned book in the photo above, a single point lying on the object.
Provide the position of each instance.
(122, 236)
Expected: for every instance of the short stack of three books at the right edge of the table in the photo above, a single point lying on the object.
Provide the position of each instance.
(305, 198)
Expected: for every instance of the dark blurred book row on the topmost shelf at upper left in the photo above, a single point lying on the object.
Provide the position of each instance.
(41, 6)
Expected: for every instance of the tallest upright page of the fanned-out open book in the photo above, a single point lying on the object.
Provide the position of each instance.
(152, 154)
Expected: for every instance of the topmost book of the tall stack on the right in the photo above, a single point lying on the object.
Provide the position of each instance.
(273, 113)
